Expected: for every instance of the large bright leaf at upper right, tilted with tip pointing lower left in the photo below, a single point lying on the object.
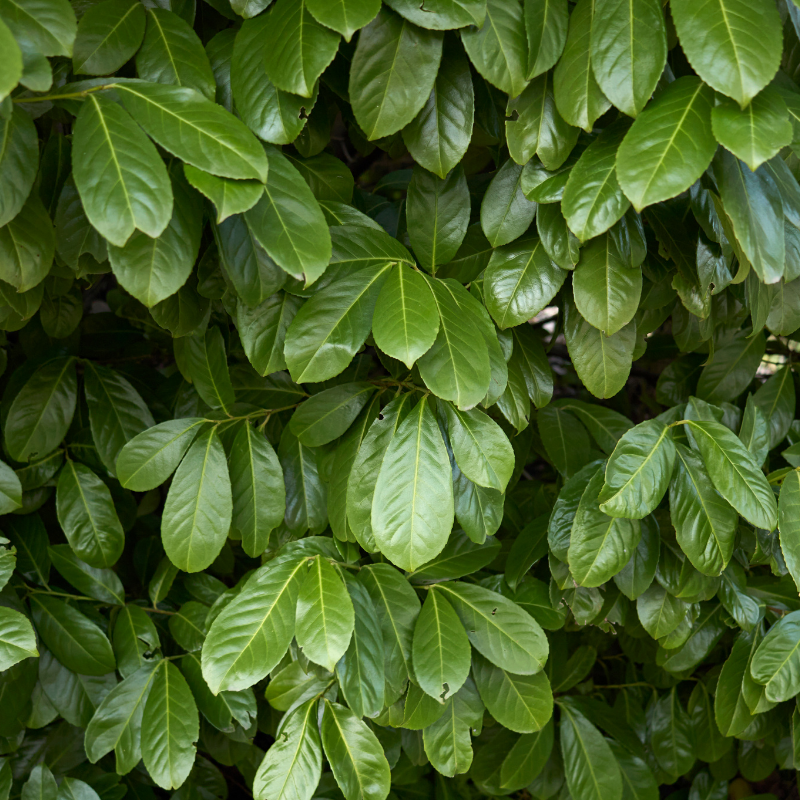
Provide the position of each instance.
(670, 144)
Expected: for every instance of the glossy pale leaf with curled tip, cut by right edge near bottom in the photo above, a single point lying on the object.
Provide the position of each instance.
(776, 661)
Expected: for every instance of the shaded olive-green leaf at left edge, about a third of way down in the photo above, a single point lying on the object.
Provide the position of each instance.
(27, 244)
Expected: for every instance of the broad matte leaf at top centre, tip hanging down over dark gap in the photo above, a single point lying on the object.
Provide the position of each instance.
(392, 73)
